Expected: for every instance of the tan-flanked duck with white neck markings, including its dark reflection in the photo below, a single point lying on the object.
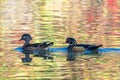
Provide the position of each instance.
(74, 47)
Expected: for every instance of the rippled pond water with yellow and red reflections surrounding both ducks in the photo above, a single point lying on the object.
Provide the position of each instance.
(89, 21)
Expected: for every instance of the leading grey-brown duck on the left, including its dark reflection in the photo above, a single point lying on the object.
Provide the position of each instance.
(40, 48)
